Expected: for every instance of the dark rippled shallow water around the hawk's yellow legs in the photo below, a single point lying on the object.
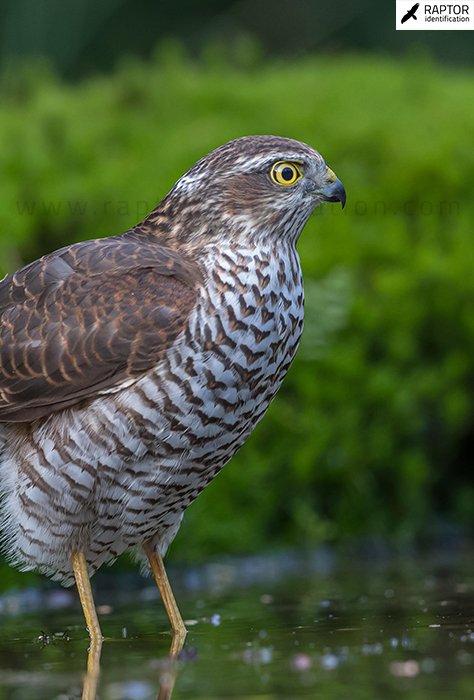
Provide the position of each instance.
(364, 626)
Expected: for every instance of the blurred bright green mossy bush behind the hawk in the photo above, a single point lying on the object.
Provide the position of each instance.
(373, 429)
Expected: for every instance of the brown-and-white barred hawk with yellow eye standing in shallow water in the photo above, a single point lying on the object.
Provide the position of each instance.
(132, 368)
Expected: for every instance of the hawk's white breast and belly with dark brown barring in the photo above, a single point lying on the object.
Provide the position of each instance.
(109, 473)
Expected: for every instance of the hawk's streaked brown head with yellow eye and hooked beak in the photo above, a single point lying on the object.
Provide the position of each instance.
(265, 187)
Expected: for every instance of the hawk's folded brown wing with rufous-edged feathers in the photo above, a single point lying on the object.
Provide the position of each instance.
(87, 318)
